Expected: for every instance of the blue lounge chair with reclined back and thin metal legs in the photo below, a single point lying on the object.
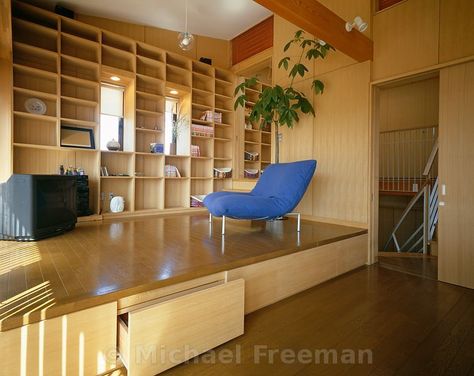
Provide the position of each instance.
(278, 191)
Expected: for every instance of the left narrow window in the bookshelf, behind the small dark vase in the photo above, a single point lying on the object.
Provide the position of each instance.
(111, 116)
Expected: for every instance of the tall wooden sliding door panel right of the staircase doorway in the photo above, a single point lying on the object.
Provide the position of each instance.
(456, 217)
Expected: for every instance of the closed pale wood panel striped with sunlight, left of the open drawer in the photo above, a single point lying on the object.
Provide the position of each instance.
(80, 343)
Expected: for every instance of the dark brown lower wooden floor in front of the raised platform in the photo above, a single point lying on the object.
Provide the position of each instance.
(412, 325)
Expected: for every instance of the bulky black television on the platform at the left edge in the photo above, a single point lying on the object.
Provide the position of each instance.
(34, 207)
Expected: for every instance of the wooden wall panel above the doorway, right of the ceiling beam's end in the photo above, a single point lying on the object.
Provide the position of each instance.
(405, 38)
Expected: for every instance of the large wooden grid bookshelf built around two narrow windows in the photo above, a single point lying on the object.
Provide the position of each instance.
(63, 62)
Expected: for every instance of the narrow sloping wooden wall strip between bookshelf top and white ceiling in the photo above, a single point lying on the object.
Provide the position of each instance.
(217, 49)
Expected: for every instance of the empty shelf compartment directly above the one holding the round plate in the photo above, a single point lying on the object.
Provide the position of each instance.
(33, 79)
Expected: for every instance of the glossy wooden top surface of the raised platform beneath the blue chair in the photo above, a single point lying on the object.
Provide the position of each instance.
(102, 262)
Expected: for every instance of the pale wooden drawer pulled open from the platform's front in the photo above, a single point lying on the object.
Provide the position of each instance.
(175, 328)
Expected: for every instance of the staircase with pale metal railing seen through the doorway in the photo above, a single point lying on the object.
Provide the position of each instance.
(424, 190)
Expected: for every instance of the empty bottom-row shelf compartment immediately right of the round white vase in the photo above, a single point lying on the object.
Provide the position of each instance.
(149, 194)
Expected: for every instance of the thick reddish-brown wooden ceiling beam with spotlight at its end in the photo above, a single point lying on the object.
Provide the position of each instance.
(315, 18)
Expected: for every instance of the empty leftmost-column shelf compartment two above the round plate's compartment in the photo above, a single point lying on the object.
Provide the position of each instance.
(35, 58)
